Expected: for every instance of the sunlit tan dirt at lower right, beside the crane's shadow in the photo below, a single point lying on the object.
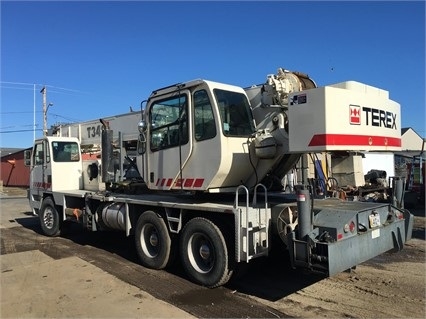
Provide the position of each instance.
(388, 286)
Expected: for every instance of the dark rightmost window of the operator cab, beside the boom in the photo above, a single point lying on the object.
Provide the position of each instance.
(235, 113)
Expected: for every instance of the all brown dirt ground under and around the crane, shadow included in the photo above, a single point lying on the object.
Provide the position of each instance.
(391, 285)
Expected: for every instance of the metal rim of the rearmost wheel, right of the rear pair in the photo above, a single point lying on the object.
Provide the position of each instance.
(201, 253)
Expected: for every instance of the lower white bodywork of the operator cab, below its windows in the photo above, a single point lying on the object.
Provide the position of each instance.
(210, 165)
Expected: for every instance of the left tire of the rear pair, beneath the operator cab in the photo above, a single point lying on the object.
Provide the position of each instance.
(152, 239)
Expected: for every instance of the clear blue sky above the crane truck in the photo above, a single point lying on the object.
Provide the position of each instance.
(100, 58)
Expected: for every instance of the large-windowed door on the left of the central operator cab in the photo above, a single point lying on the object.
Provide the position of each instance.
(169, 142)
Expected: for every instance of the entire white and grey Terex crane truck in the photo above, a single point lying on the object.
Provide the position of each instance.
(186, 176)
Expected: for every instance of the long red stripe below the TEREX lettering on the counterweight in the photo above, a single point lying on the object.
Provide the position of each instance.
(358, 140)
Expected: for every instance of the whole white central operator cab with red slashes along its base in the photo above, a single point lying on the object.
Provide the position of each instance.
(196, 136)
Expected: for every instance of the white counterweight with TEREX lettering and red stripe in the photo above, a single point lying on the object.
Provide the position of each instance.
(345, 116)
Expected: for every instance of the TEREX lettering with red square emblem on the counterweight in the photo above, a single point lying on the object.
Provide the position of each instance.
(373, 117)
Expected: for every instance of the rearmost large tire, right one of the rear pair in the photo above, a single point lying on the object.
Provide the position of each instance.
(204, 253)
